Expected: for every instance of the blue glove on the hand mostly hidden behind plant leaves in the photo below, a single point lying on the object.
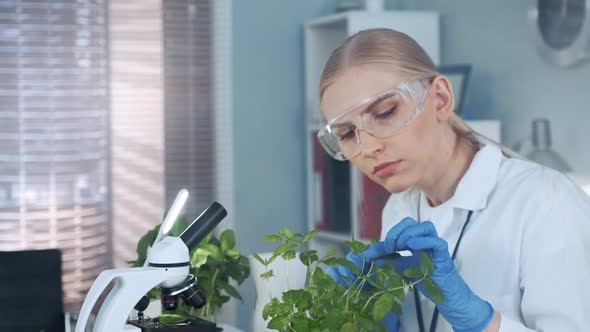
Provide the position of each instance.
(345, 277)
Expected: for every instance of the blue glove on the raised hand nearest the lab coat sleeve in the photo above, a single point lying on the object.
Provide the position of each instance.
(465, 311)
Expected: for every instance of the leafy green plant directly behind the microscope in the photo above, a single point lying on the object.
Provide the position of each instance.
(216, 262)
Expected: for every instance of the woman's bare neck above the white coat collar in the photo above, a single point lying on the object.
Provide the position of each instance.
(447, 169)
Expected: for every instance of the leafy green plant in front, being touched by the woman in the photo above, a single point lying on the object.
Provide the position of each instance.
(324, 305)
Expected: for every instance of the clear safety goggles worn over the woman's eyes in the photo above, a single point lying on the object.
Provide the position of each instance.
(381, 115)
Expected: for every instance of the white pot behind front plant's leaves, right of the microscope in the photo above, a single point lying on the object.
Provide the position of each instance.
(288, 275)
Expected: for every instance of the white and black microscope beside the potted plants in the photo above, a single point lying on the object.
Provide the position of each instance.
(167, 266)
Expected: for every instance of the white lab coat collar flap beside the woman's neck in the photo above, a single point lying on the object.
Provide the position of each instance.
(478, 182)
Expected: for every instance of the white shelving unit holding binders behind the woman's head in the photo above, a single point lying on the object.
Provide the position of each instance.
(322, 36)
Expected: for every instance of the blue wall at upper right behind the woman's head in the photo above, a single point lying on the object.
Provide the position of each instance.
(511, 81)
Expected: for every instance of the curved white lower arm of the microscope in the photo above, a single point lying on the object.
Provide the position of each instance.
(130, 285)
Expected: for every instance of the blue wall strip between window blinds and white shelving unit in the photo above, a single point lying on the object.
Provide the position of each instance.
(269, 123)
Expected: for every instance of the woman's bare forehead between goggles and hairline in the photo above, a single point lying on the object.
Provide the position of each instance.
(353, 85)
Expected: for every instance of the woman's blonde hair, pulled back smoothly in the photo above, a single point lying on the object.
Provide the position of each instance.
(399, 52)
